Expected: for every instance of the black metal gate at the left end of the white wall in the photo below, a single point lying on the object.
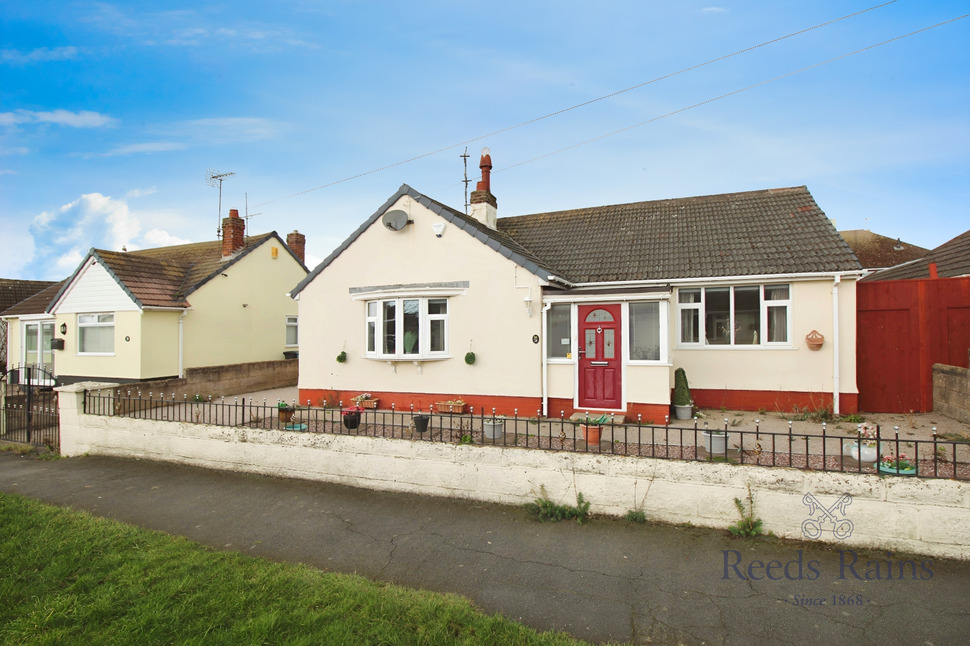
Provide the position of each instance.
(28, 407)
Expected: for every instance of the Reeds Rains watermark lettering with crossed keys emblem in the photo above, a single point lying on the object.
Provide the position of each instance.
(823, 518)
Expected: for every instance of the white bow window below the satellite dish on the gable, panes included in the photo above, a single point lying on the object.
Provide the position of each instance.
(407, 328)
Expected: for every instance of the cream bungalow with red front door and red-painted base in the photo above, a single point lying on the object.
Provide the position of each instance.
(752, 293)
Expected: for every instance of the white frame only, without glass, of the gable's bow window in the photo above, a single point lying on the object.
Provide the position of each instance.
(374, 344)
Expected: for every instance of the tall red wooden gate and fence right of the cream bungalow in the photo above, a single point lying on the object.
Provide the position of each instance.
(903, 327)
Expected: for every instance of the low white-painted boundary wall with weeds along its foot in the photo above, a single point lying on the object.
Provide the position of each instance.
(913, 515)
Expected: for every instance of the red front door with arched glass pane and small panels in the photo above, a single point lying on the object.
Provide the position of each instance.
(600, 368)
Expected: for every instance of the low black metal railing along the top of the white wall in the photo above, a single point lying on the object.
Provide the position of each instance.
(696, 441)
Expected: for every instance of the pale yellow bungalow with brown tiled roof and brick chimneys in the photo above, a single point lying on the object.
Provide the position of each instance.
(153, 313)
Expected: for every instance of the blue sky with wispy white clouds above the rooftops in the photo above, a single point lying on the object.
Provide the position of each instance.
(112, 115)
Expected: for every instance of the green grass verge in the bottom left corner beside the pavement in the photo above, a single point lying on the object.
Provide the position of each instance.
(67, 577)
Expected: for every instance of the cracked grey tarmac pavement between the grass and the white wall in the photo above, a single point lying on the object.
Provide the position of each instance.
(607, 580)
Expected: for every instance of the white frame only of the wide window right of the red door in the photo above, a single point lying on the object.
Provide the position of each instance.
(764, 305)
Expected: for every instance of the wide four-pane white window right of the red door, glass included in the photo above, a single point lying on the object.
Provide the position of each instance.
(741, 315)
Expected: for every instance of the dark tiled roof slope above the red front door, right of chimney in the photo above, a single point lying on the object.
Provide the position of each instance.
(776, 231)
